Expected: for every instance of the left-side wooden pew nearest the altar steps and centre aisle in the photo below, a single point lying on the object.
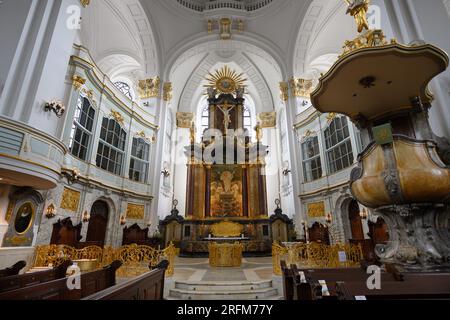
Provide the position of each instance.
(149, 286)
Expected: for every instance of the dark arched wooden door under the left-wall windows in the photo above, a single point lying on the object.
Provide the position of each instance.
(98, 224)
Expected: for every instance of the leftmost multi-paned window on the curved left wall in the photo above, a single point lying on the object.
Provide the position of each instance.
(81, 133)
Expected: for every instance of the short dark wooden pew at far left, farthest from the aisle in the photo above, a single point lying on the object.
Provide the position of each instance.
(30, 279)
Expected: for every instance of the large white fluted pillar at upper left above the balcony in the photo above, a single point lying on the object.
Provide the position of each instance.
(38, 70)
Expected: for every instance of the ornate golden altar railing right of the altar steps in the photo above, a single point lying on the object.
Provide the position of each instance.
(316, 255)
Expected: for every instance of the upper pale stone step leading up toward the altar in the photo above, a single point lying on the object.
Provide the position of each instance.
(223, 286)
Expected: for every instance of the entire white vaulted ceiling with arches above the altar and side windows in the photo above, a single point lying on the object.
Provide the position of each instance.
(134, 39)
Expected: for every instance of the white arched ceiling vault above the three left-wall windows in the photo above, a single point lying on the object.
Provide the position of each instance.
(119, 32)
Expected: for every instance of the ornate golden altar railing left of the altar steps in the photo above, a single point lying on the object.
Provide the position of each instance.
(135, 258)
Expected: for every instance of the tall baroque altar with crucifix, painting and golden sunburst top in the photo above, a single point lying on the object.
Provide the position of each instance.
(226, 180)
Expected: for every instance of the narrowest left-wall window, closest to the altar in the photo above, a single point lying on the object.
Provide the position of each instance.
(139, 160)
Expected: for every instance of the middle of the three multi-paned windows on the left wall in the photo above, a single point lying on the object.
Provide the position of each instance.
(111, 146)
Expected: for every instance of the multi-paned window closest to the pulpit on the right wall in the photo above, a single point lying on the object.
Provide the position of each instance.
(338, 145)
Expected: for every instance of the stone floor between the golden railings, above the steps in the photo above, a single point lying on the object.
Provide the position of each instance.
(198, 269)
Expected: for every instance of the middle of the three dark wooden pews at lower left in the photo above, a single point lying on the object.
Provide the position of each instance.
(91, 282)
